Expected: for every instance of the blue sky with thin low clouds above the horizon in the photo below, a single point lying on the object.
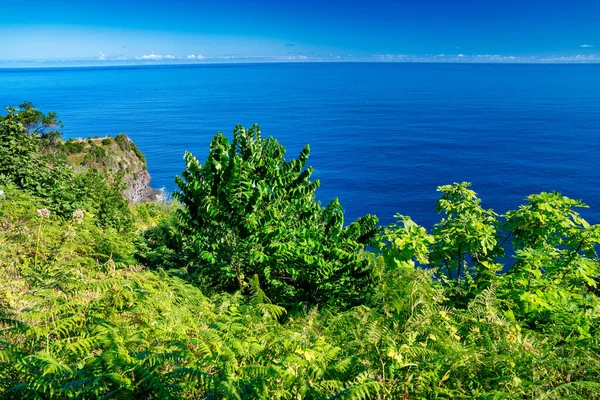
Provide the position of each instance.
(385, 30)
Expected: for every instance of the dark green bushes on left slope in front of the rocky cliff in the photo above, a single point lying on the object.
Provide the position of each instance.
(26, 160)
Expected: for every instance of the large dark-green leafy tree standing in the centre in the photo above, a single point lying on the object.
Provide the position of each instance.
(249, 212)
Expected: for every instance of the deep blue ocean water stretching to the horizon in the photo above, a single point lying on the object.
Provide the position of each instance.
(383, 136)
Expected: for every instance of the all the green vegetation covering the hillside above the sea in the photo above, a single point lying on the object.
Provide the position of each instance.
(247, 288)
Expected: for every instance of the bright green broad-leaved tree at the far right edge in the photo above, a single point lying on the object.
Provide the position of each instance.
(557, 265)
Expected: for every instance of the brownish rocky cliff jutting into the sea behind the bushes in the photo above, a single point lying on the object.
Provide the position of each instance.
(119, 157)
